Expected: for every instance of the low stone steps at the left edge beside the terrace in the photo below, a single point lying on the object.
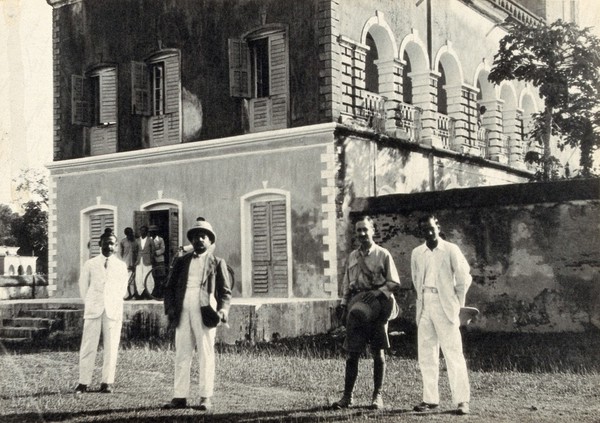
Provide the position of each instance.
(39, 325)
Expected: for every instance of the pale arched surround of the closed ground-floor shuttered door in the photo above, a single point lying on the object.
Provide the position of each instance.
(246, 201)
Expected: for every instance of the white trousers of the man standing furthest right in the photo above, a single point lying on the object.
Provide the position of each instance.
(435, 331)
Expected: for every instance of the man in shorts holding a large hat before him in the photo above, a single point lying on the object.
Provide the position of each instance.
(367, 305)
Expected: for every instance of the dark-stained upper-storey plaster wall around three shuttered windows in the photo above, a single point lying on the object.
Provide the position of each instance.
(121, 31)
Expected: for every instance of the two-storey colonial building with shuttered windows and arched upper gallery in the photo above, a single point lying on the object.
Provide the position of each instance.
(267, 117)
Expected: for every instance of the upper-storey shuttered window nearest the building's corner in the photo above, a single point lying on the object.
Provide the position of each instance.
(258, 72)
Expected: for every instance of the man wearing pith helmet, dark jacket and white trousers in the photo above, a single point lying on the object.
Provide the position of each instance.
(197, 297)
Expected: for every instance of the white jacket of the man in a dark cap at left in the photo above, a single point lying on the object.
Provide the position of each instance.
(103, 289)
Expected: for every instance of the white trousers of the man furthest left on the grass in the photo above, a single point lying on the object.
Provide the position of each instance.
(111, 336)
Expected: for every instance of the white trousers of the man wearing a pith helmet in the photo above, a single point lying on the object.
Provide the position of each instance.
(192, 328)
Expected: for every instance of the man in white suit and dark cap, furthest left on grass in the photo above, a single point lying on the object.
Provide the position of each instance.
(102, 284)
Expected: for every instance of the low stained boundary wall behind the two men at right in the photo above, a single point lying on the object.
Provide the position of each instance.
(534, 250)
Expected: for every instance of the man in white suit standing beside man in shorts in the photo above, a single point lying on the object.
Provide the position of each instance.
(441, 276)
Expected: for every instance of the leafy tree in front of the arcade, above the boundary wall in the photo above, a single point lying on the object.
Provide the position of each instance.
(563, 62)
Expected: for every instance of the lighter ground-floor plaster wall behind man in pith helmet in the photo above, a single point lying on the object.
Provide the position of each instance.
(208, 182)
